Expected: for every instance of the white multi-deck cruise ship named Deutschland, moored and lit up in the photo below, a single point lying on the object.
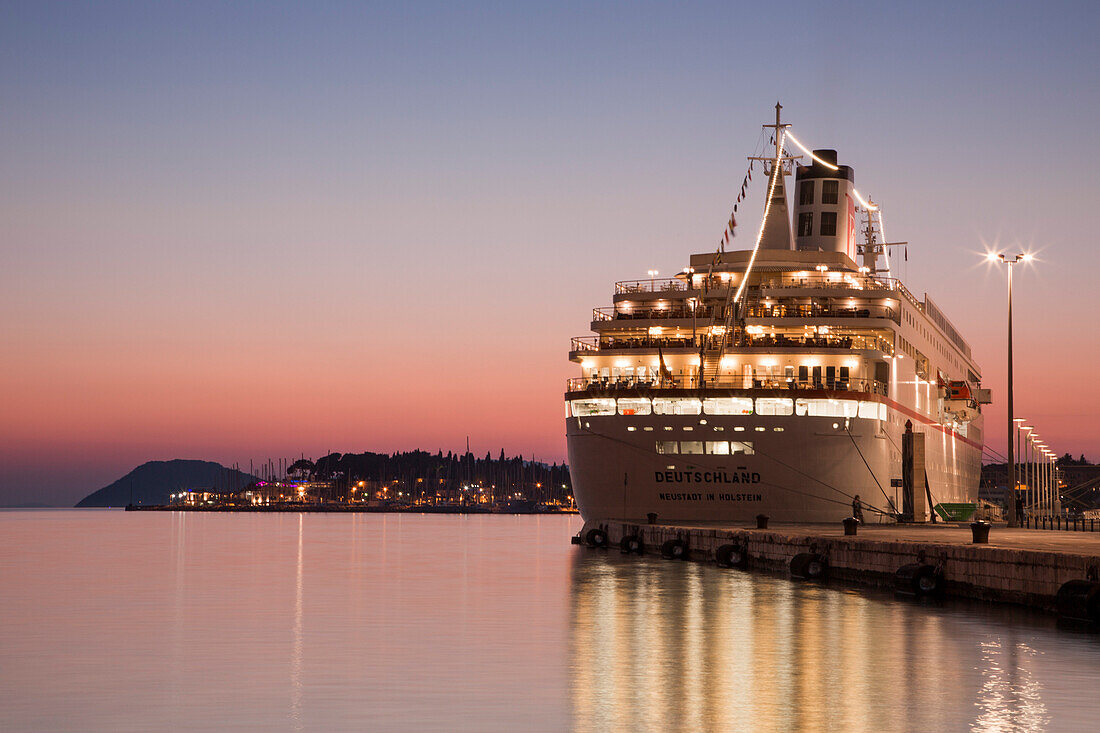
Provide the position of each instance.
(784, 380)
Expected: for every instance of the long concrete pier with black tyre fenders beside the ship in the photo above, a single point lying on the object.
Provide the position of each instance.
(1018, 566)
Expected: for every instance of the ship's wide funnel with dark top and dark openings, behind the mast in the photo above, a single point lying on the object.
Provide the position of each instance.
(826, 206)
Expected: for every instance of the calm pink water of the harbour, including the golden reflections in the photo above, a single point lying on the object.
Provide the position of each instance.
(149, 621)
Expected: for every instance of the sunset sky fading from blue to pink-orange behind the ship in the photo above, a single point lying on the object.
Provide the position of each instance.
(265, 231)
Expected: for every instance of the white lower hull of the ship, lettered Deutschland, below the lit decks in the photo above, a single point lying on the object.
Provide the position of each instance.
(799, 469)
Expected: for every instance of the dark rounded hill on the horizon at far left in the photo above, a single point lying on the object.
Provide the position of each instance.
(152, 483)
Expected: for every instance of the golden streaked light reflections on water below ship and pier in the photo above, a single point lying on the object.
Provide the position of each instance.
(659, 646)
